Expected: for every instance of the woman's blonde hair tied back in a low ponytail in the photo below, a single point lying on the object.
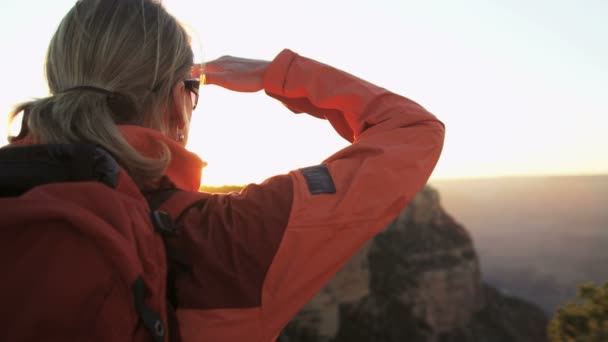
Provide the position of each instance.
(132, 48)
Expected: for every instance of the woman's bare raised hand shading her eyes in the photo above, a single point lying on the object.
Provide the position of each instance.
(235, 73)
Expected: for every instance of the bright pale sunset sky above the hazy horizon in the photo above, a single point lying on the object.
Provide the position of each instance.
(522, 86)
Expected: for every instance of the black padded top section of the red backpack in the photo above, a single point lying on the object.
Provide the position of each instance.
(25, 167)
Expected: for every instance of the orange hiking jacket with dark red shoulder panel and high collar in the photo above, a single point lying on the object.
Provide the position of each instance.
(258, 256)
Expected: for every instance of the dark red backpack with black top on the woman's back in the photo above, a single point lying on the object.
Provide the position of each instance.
(81, 254)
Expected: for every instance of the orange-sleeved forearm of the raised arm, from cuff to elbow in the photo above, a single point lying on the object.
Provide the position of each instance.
(351, 105)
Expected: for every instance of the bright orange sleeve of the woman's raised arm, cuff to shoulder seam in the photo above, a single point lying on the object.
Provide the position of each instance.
(395, 146)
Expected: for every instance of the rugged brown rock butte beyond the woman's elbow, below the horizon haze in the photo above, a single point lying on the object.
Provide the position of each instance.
(418, 280)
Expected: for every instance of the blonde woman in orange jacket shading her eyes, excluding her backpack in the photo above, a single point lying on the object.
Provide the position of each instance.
(121, 77)
